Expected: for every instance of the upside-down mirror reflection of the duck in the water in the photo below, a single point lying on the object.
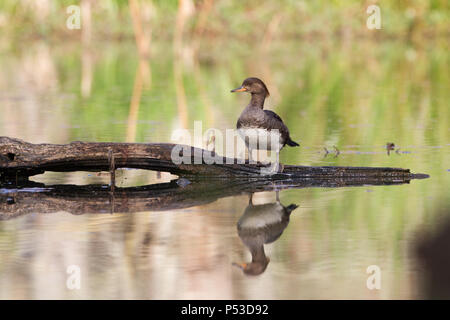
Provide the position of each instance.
(260, 225)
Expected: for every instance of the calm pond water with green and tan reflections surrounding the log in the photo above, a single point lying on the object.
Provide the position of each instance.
(356, 96)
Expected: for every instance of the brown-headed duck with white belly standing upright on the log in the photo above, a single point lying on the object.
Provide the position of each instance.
(256, 125)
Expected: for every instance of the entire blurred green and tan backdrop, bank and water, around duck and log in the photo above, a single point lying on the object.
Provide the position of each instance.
(138, 70)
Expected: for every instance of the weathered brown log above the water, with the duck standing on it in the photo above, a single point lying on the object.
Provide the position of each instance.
(20, 159)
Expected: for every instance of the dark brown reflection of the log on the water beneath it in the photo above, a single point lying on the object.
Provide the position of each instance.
(34, 197)
